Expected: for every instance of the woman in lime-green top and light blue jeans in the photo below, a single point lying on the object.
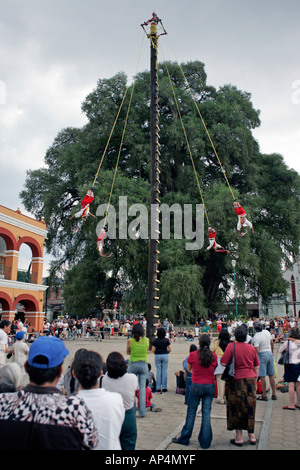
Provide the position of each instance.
(137, 348)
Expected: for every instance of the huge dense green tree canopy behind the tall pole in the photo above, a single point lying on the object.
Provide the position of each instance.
(192, 282)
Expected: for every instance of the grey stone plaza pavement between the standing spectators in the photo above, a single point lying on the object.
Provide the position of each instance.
(275, 428)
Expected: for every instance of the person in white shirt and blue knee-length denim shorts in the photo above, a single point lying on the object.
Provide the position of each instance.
(263, 343)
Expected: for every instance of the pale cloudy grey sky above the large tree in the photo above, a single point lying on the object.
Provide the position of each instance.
(52, 53)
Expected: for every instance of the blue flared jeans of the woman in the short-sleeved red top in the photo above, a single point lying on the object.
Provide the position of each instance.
(205, 392)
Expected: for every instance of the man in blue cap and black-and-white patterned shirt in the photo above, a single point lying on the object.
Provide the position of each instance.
(39, 417)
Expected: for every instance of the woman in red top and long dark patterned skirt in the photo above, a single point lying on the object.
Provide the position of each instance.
(240, 391)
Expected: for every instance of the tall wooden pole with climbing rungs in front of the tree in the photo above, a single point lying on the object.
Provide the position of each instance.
(153, 261)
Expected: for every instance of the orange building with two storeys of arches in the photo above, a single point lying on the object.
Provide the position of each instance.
(16, 229)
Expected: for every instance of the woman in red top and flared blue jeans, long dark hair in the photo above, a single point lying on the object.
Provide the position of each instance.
(202, 364)
